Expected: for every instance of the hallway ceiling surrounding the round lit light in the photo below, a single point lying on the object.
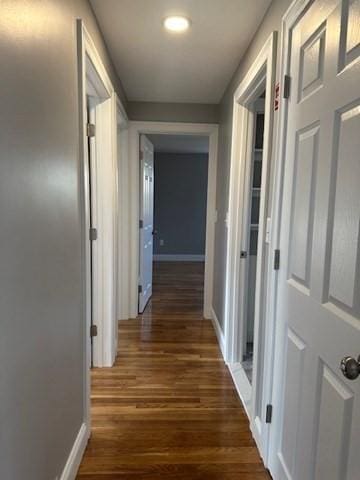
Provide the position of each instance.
(195, 67)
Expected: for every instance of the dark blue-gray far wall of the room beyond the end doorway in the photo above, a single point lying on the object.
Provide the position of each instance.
(180, 203)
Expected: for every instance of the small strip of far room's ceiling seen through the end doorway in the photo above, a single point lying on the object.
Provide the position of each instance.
(179, 143)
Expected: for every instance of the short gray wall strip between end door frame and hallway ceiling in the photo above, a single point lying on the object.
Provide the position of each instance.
(173, 112)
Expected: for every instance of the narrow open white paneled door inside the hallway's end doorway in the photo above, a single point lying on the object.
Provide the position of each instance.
(146, 220)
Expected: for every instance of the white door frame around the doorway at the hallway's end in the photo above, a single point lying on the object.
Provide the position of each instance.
(137, 128)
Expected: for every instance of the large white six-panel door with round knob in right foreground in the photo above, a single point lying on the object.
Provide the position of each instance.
(319, 278)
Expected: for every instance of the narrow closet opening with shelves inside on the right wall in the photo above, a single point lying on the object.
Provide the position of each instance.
(253, 224)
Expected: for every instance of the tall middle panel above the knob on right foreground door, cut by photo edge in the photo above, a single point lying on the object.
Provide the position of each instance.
(343, 285)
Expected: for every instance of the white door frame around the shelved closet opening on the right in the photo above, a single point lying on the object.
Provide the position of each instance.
(262, 72)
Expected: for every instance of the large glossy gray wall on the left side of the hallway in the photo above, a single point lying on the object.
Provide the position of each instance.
(41, 341)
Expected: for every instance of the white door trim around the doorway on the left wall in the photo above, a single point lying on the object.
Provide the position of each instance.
(93, 75)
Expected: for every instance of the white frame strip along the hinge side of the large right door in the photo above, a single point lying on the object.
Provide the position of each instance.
(293, 14)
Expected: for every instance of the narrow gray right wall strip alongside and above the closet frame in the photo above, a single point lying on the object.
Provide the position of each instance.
(271, 22)
